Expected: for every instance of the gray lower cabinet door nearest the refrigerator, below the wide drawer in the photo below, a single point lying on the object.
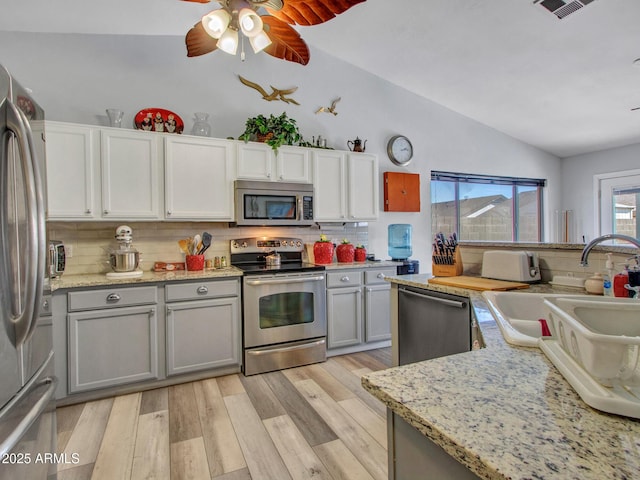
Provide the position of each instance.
(112, 347)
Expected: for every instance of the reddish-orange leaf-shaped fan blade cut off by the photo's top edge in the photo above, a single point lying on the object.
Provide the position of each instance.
(311, 12)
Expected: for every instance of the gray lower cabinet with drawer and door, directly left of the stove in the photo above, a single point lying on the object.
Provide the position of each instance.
(203, 326)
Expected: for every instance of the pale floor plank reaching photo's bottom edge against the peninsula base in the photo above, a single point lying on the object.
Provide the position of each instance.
(363, 446)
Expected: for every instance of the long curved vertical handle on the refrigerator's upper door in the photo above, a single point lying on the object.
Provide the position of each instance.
(26, 319)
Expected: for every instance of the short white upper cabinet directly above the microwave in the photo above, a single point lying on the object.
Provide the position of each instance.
(257, 161)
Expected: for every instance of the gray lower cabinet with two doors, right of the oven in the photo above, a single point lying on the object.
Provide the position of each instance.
(358, 306)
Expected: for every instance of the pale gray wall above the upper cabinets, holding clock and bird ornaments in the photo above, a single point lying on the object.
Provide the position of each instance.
(76, 77)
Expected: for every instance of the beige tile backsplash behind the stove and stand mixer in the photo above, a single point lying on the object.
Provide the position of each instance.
(91, 242)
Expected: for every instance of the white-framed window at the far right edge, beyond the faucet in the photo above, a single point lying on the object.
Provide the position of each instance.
(618, 196)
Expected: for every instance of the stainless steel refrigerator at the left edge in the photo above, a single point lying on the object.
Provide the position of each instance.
(27, 380)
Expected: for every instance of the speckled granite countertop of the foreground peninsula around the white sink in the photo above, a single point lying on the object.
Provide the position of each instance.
(506, 412)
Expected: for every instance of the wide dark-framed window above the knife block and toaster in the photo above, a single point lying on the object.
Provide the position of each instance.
(485, 207)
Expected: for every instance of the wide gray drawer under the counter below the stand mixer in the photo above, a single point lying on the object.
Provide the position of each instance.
(112, 297)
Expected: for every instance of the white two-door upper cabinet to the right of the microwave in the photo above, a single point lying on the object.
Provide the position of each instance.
(345, 186)
